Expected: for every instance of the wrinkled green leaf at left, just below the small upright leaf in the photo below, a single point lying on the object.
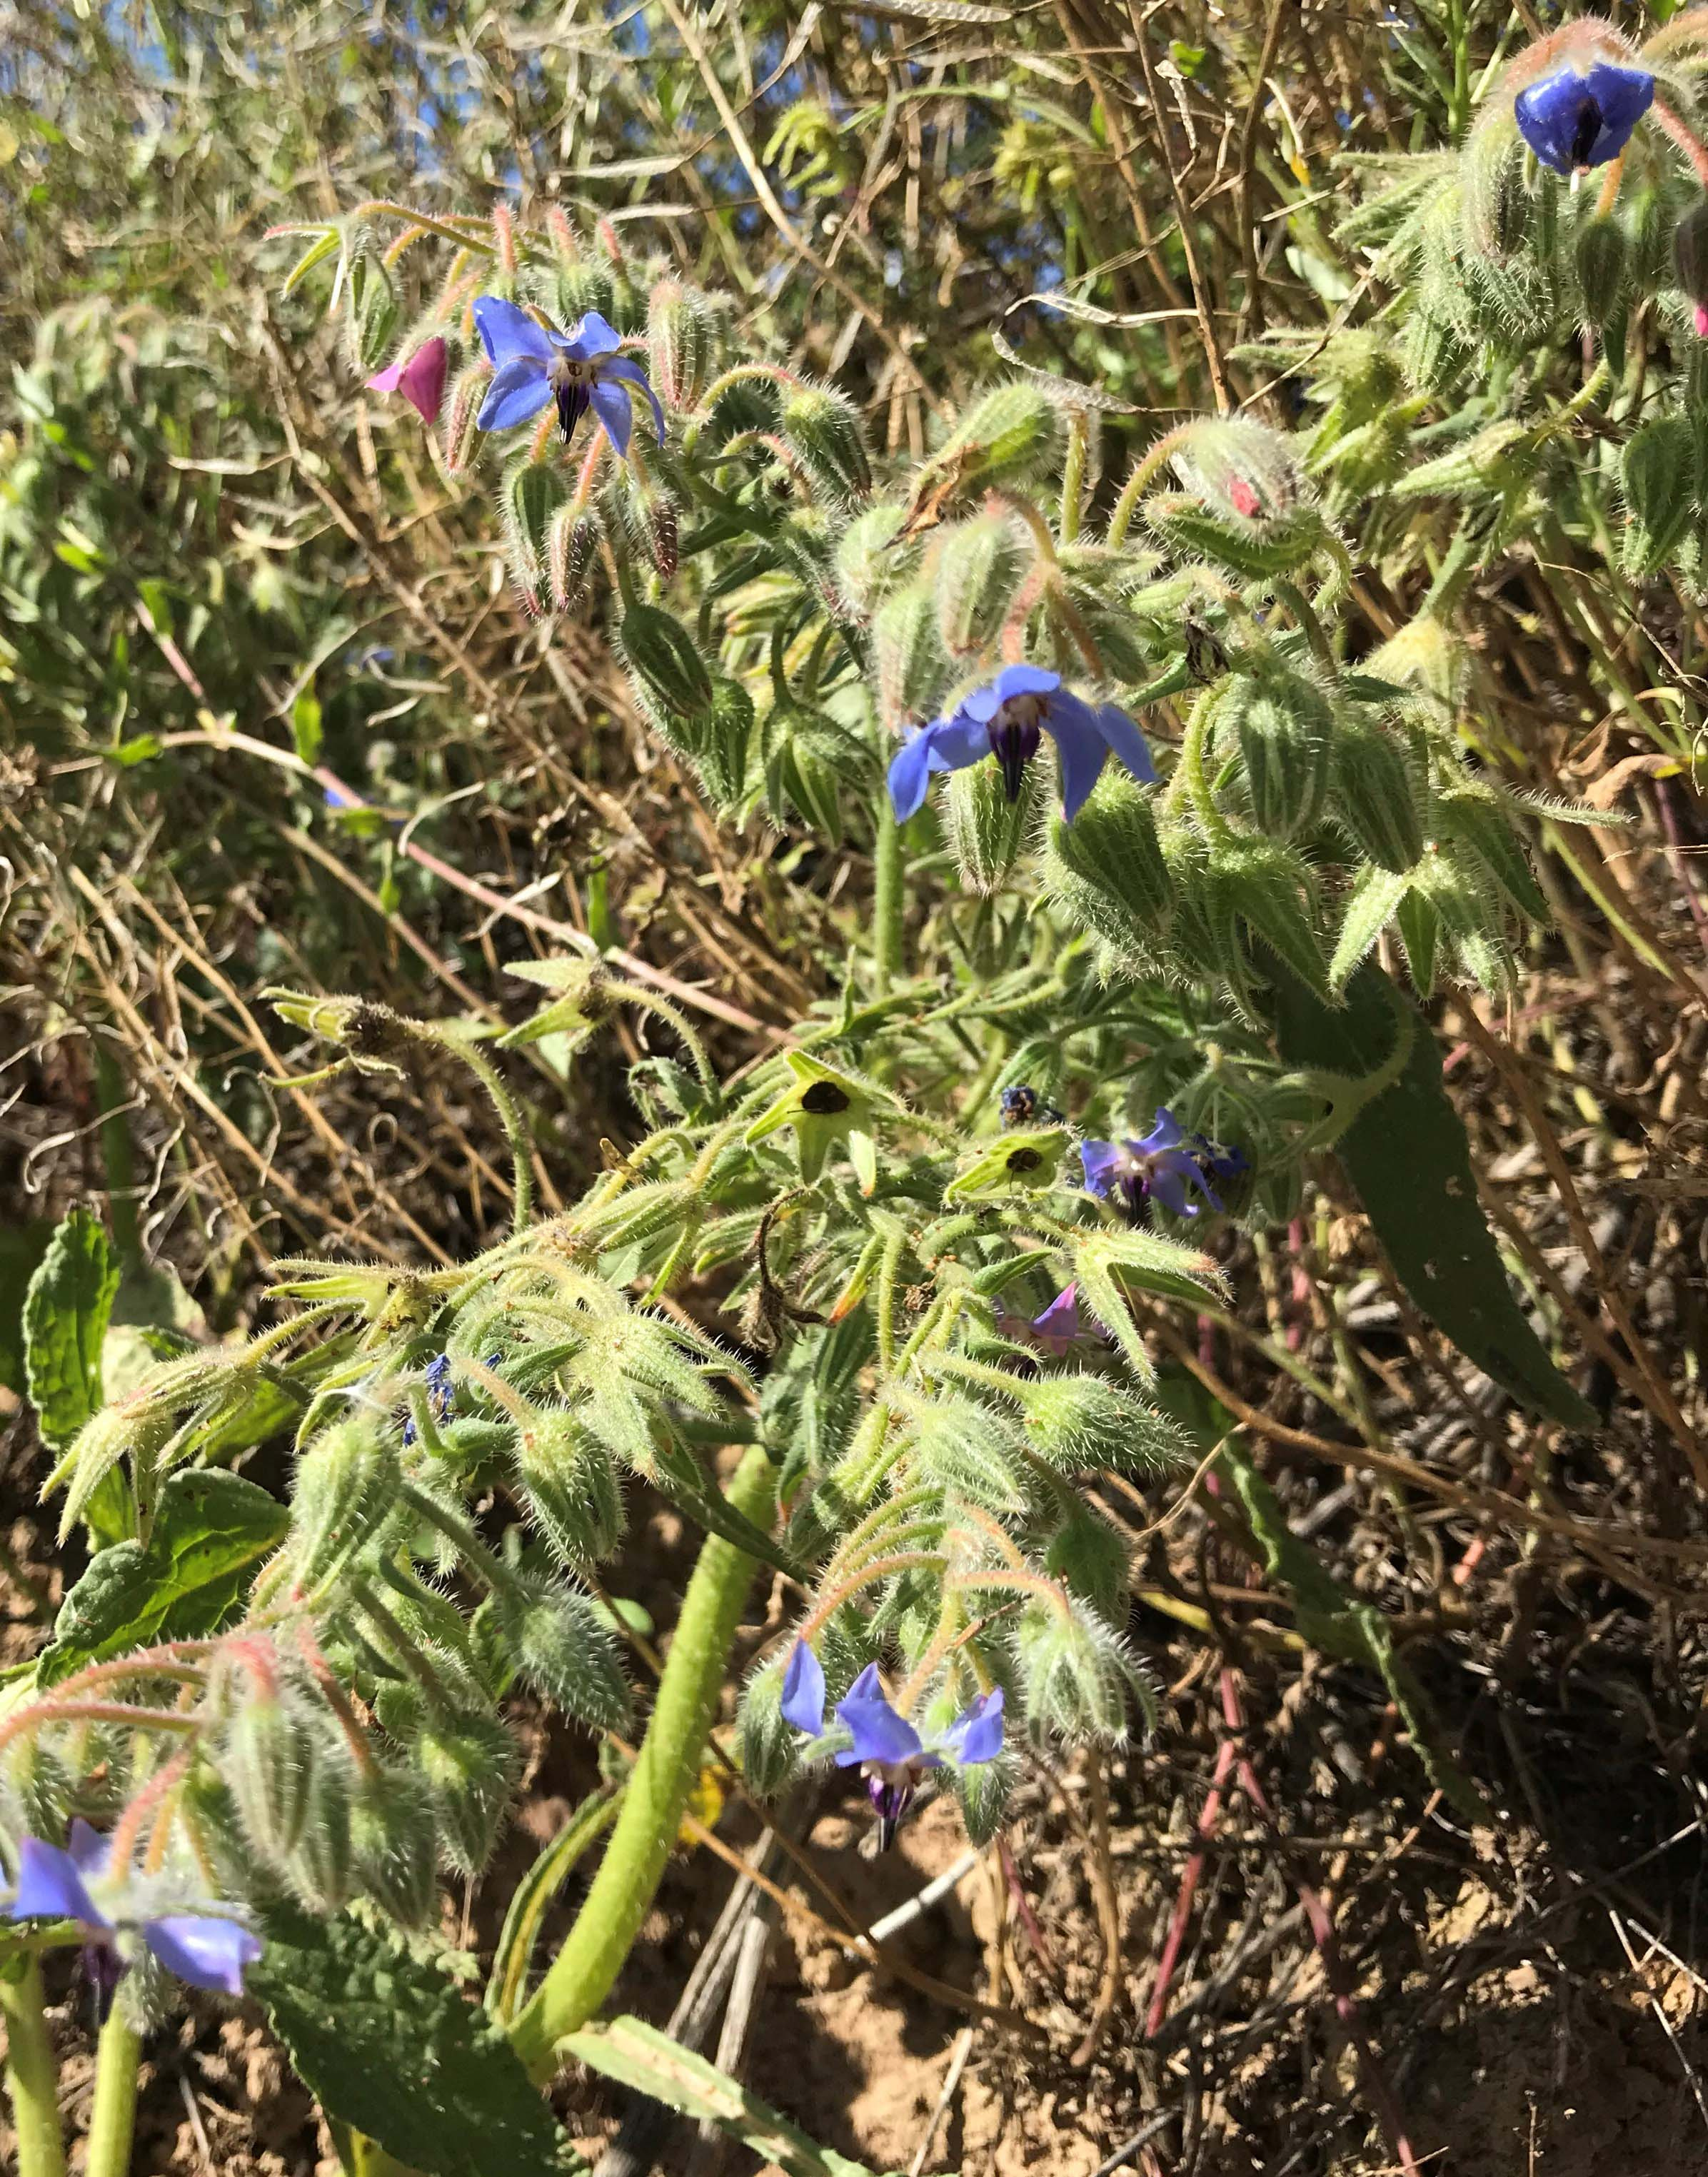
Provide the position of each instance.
(210, 1529)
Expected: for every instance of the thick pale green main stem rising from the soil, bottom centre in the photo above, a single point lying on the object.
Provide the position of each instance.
(663, 1780)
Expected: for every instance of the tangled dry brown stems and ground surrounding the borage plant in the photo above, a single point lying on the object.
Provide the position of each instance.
(203, 543)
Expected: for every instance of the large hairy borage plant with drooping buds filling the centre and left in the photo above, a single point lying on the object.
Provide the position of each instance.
(1137, 833)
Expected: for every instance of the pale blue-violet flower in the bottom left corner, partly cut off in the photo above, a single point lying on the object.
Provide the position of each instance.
(203, 1947)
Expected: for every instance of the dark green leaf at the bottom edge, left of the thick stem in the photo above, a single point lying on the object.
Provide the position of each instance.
(393, 2050)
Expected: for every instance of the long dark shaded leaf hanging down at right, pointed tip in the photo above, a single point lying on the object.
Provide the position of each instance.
(1411, 1164)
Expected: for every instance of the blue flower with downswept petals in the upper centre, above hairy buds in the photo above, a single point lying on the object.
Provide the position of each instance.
(1006, 722)
